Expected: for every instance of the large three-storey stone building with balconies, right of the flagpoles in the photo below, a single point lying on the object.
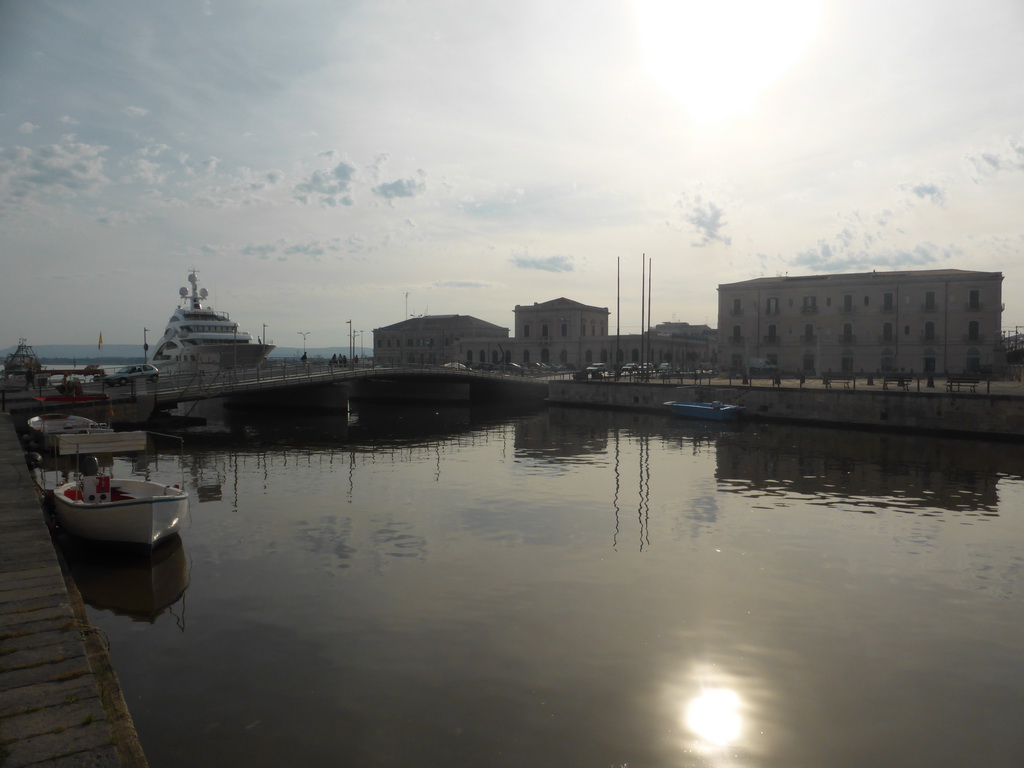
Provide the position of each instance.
(927, 321)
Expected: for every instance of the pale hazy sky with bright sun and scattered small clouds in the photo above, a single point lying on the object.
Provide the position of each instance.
(326, 161)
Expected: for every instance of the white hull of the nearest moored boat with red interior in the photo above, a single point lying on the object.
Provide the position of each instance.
(132, 513)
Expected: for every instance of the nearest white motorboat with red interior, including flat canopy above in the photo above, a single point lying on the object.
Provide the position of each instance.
(103, 508)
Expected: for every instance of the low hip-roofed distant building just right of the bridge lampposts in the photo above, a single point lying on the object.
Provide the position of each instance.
(433, 339)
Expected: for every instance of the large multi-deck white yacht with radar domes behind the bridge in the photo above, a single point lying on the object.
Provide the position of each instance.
(199, 337)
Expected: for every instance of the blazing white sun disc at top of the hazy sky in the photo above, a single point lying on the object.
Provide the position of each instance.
(717, 57)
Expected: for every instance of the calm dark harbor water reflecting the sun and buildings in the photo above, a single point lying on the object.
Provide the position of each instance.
(440, 587)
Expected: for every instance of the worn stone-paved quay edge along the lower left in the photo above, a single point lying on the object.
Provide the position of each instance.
(61, 705)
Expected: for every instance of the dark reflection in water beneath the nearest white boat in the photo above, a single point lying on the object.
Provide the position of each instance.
(129, 582)
